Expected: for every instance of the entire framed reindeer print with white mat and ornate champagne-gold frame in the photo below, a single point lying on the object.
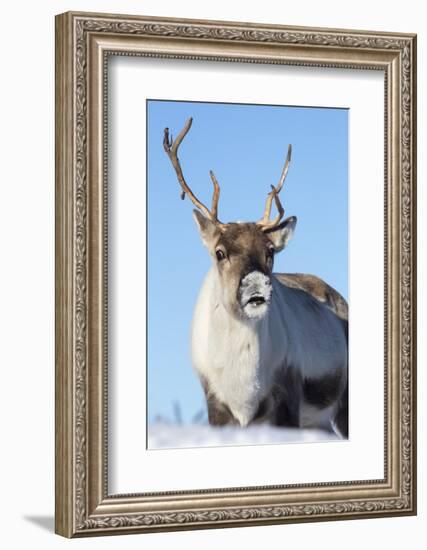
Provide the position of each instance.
(235, 274)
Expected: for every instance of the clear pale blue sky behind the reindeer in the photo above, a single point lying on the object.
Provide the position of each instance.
(245, 145)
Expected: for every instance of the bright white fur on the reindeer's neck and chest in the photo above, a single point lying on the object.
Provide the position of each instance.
(234, 355)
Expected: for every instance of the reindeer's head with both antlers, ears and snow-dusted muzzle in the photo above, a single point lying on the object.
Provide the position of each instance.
(243, 253)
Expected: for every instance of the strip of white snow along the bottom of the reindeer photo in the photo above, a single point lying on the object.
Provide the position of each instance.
(173, 436)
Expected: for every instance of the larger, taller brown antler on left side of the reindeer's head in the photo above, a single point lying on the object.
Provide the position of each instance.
(171, 147)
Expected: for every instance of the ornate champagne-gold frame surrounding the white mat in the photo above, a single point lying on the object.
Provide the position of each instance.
(84, 505)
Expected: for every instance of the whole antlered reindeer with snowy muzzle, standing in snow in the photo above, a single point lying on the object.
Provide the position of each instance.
(267, 347)
